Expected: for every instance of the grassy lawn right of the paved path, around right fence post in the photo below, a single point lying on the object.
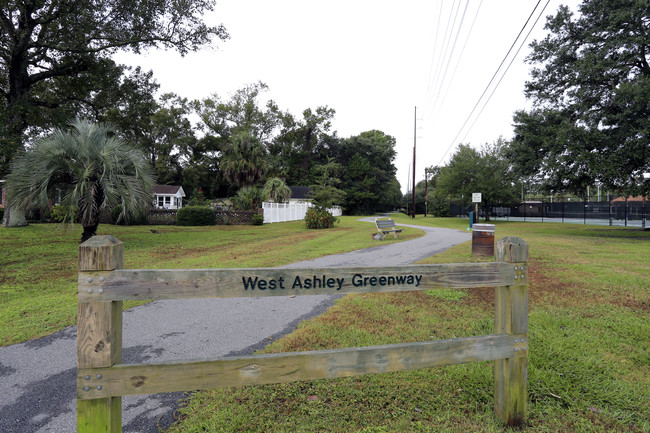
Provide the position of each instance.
(589, 365)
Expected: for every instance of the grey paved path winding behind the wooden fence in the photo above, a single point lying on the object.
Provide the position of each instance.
(37, 378)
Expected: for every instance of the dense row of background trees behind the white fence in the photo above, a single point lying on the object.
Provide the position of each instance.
(241, 142)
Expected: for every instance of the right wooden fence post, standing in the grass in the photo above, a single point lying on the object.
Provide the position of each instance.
(511, 317)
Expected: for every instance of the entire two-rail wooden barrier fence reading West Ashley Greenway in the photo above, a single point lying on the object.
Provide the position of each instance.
(104, 284)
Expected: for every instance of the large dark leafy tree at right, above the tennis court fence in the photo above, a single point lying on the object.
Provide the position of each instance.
(590, 122)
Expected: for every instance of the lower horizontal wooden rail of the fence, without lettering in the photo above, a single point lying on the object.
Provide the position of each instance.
(289, 367)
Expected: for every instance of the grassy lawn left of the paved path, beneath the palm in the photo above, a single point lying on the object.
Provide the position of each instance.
(39, 262)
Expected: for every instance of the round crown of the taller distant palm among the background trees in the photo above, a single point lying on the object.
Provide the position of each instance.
(244, 162)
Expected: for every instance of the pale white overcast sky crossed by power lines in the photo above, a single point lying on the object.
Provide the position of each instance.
(373, 62)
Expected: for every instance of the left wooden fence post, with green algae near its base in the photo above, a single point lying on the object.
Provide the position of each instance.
(99, 336)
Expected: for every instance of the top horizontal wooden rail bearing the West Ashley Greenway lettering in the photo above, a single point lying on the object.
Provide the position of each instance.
(131, 284)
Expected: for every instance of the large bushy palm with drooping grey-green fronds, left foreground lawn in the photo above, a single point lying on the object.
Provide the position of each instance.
(89, 168)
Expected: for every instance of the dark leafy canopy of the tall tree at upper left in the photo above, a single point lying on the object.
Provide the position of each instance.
(52, 49)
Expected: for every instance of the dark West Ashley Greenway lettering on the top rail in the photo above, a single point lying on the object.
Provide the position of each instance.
(325, 282)
